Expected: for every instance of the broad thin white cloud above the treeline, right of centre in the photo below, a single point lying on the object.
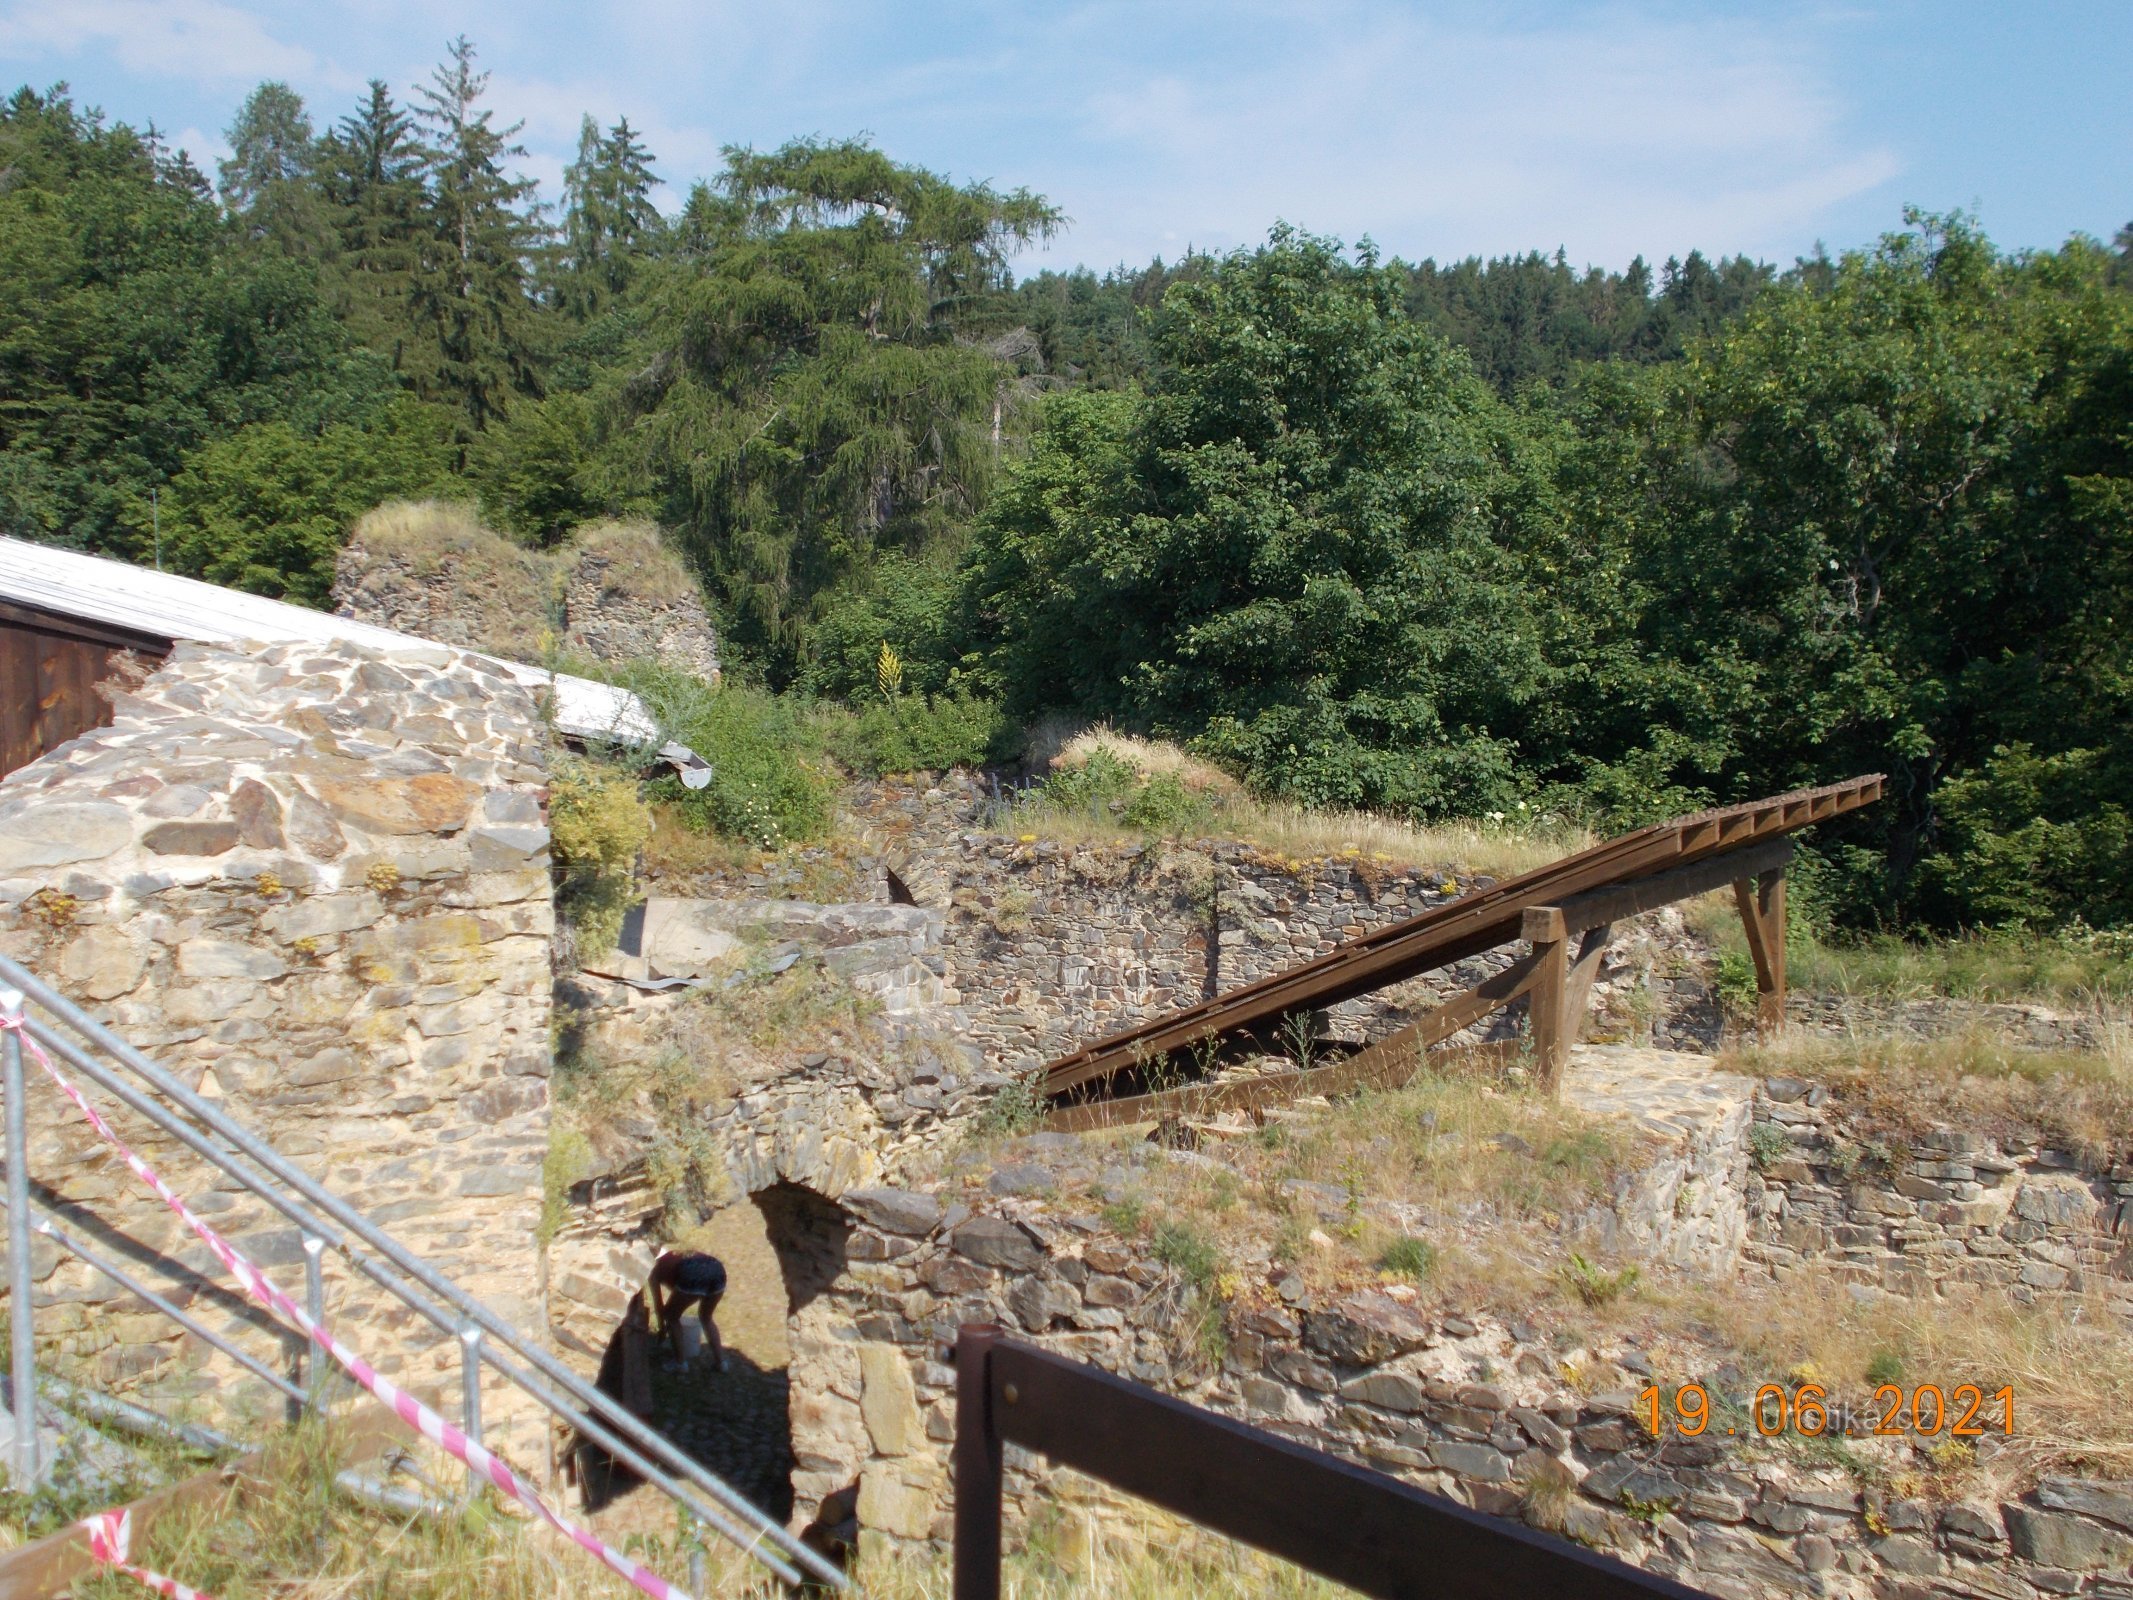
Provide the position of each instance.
(1607, 135)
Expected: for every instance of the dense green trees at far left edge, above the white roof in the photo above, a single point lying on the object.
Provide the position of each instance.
(131, 334)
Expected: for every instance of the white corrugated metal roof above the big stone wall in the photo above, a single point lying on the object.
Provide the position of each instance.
(163, 605)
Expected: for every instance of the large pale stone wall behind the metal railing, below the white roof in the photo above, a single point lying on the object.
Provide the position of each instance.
(312, 884)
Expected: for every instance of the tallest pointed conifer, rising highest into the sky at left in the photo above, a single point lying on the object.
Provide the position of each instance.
(470, 285)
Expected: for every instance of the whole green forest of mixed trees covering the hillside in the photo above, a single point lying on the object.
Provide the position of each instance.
(1443, 541)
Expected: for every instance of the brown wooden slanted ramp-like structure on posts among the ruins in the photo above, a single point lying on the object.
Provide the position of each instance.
(1552, 908)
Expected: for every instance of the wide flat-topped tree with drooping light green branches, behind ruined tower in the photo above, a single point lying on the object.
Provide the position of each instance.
(814, 402)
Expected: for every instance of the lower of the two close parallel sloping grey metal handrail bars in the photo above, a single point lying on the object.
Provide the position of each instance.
(581, 1418)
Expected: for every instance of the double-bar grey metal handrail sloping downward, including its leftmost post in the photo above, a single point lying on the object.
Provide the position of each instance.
(368, 1249)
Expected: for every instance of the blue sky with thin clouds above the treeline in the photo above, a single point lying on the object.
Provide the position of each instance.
(1605, 131)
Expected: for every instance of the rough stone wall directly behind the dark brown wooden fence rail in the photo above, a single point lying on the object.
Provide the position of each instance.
(1471, 1407)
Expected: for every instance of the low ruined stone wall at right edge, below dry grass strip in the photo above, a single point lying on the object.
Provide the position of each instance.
(1946, 1211)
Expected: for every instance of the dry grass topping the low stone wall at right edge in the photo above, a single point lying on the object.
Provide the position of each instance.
(1902, 1089)
